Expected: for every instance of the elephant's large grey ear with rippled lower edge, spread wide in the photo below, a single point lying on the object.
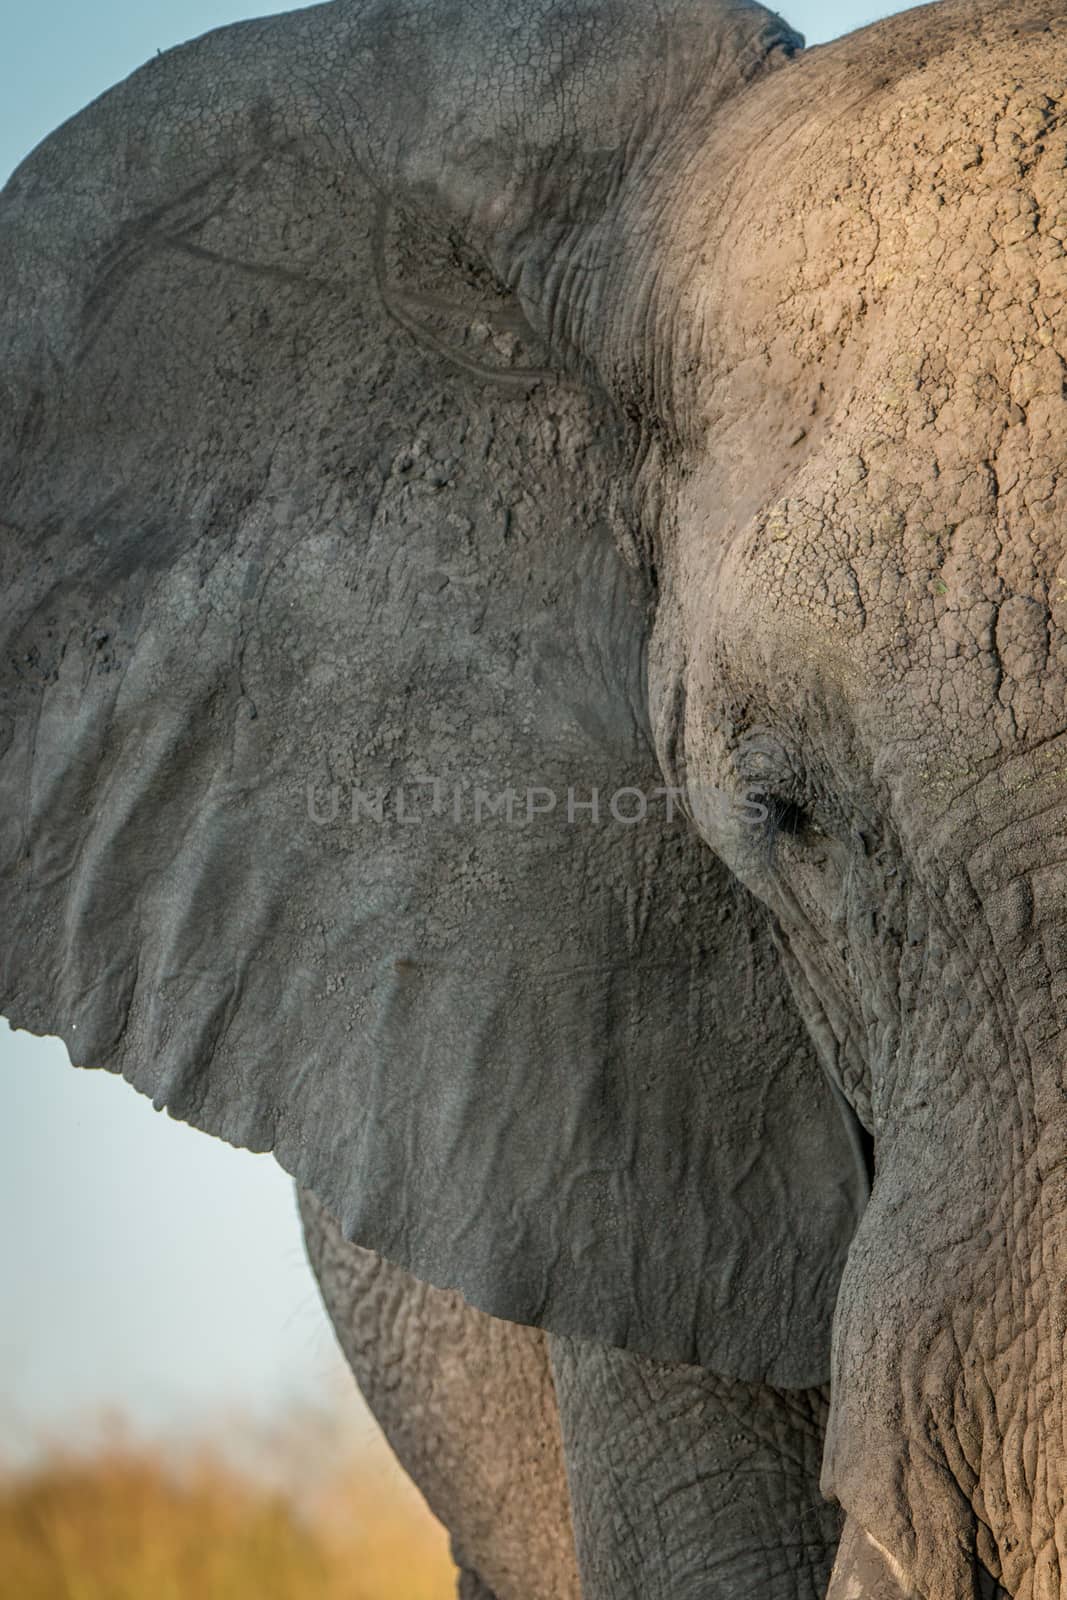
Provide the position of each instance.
(310, 562)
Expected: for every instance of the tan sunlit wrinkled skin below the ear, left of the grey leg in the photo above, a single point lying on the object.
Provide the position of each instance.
(468, 1404)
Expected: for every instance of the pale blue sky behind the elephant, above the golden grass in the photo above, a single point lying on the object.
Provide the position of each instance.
(145, 1265)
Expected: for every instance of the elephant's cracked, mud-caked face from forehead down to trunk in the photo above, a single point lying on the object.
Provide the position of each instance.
(868, 614)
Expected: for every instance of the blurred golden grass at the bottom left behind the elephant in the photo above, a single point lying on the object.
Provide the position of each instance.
(127, 1521)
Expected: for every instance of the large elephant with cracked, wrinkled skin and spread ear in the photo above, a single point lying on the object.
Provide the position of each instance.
(535, 690)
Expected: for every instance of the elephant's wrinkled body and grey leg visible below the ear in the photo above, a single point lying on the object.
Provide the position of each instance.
(682, 1484)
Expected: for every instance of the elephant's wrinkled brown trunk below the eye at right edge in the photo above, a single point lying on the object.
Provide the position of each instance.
(948, 1441)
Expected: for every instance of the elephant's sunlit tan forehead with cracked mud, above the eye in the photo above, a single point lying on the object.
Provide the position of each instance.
(889, 482)
